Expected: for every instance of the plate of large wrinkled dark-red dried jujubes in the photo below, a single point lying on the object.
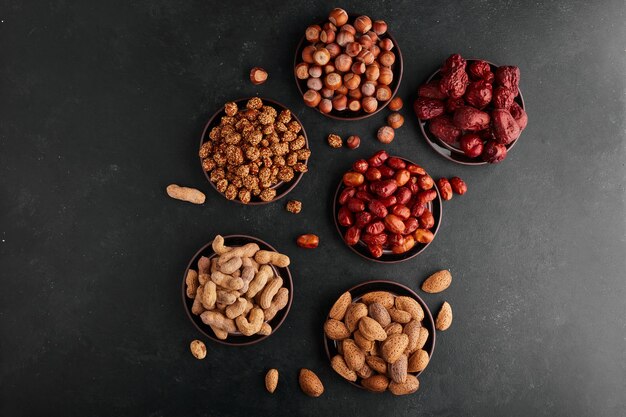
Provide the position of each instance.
(471, 111)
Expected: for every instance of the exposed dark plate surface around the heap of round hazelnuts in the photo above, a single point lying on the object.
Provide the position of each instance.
(397, 68)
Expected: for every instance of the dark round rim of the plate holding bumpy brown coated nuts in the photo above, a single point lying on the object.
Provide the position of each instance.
(209, 124)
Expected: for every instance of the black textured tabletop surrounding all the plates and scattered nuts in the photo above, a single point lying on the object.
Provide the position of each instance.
(101, 107)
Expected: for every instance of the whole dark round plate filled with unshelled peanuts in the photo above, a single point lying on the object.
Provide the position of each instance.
(237, 290)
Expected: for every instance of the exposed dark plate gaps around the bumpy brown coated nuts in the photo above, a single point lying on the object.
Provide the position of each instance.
(282, 188)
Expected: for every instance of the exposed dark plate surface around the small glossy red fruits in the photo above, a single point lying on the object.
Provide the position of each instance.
(435, 206)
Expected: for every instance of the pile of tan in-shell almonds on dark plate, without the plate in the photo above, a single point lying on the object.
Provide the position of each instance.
(380, 340)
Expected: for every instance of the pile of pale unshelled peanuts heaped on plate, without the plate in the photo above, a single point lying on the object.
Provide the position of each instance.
(237, 290)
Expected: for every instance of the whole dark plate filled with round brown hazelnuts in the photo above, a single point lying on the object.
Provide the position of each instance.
(348, 67)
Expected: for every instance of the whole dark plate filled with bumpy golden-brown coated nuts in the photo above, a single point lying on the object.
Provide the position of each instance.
(254, 151)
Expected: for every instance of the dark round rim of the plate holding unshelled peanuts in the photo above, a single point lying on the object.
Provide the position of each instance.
(207, 332)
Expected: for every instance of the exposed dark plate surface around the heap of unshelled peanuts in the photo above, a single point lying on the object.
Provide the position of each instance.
(234, 339)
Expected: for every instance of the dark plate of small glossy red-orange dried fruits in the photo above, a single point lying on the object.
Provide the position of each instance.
(387, 208)
